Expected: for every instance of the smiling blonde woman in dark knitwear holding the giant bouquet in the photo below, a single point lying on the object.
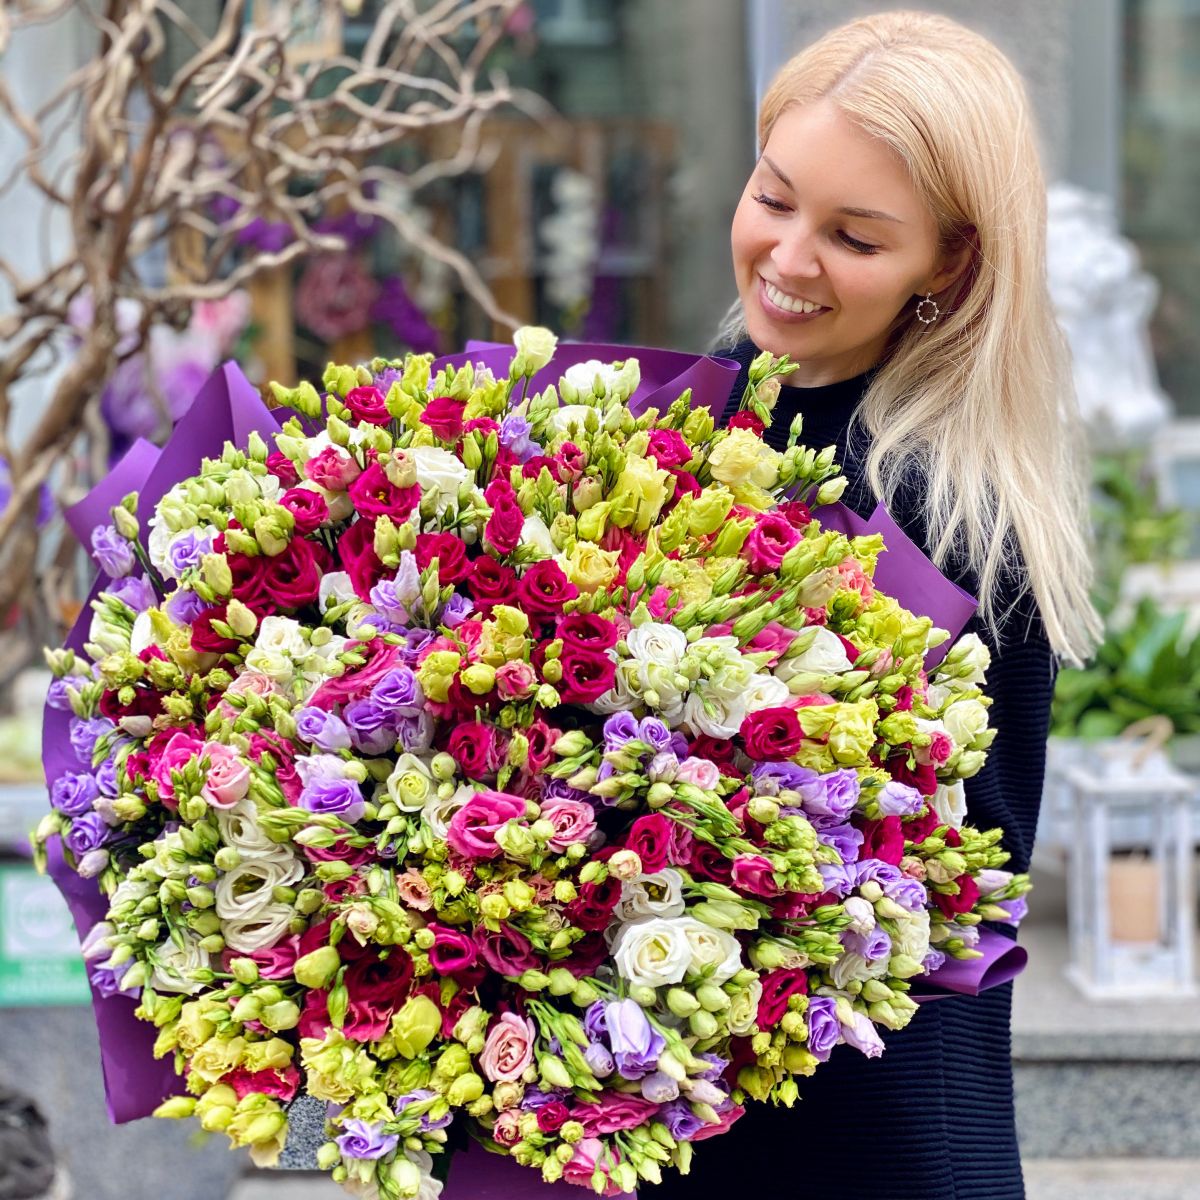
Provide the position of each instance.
(891, 241)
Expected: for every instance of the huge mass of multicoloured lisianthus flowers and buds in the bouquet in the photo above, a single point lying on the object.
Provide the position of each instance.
(496, 761)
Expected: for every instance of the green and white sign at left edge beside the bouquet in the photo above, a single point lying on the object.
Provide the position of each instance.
(40, 962)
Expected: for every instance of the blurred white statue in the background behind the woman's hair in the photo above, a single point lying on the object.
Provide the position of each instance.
(1105, 299)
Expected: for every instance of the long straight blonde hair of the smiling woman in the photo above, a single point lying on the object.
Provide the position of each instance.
(981, 404)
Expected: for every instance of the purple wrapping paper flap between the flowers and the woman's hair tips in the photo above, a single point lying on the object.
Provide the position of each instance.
(907, 574)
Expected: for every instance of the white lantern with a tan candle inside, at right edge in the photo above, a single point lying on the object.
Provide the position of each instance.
(1131, 917)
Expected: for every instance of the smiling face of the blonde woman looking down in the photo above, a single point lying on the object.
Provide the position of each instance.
(831, 243)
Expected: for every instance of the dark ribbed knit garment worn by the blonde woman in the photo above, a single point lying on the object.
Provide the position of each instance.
(933, 1119)
